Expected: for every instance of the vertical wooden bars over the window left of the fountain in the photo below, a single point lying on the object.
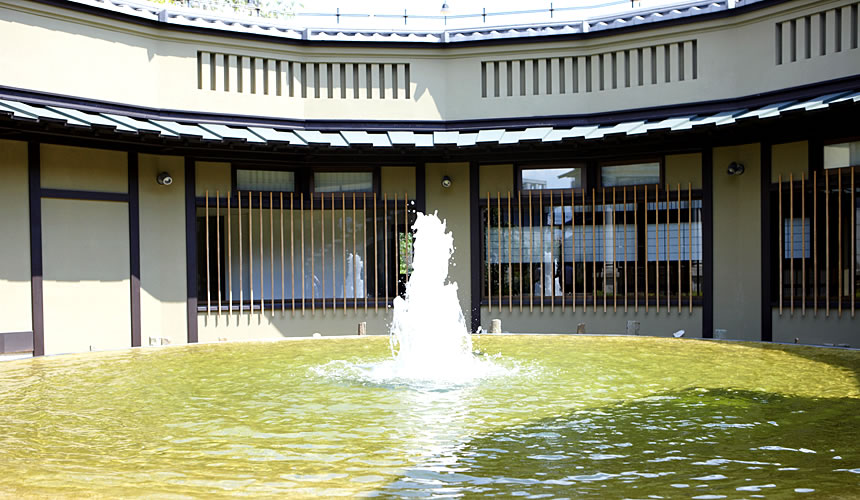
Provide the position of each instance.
(243, 275)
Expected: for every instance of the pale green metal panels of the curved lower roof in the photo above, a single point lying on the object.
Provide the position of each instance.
(207, 132)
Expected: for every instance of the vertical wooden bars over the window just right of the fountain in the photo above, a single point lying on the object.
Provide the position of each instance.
(613, 219)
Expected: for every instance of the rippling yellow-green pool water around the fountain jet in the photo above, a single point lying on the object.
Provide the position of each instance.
(575, 416)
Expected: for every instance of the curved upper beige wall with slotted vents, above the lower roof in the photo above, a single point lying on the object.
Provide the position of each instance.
(91, 56)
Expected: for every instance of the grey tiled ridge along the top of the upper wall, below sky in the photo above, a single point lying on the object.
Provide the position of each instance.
(290, 29)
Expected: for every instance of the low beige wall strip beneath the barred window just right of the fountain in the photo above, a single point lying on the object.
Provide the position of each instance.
(664, 323)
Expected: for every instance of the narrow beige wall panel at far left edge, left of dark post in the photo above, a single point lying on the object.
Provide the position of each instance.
(15, 237)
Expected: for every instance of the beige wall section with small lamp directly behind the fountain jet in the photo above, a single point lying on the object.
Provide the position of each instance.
(453, 206)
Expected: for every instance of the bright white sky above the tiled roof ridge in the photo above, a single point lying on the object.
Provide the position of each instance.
(583, 9)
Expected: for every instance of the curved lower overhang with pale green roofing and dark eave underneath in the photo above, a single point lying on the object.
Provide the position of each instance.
(27, 112)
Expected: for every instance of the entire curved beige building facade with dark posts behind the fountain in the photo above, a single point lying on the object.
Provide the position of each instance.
(170, 176)
